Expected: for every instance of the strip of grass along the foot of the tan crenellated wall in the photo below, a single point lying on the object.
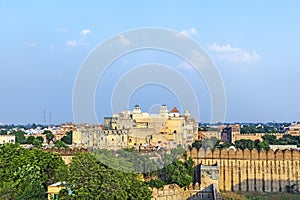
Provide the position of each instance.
(259, 196)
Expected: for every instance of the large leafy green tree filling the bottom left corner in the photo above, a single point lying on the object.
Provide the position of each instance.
(28, 172)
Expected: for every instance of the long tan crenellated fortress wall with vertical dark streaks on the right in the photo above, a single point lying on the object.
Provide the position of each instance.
(245, 170)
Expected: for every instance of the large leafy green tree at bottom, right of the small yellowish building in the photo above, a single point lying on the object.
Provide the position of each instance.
(90, 179)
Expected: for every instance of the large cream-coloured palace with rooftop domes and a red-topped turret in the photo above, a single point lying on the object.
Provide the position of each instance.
(139, 129)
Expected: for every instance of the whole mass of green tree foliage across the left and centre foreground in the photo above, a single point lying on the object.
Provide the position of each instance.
(25, 174)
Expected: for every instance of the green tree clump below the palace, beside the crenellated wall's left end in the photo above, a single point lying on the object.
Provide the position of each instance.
(167, 168)
